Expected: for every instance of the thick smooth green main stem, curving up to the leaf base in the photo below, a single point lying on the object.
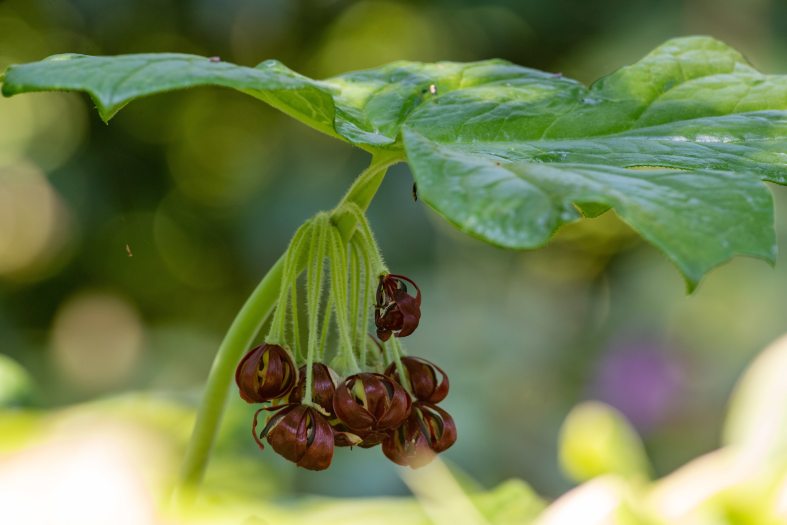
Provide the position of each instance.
(247, 324)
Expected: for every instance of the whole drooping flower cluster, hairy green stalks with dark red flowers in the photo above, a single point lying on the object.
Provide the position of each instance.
(370, 393)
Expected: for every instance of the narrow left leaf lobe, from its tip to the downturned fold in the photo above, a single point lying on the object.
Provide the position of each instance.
(113, 82)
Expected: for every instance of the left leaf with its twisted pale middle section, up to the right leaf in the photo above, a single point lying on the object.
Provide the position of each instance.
(366, 108)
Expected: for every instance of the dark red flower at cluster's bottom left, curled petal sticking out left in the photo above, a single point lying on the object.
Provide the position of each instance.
(299, 433)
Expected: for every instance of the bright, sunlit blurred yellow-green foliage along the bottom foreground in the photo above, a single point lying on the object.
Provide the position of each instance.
(124, 448)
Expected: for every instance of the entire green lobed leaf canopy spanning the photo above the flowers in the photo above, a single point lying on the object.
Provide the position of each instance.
(677, 144)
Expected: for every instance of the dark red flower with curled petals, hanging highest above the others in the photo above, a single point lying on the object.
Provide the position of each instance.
(396, 310)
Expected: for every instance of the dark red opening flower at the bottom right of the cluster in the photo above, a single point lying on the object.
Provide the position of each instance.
(428, 431)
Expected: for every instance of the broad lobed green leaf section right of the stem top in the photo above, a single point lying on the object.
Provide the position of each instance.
(676, 144)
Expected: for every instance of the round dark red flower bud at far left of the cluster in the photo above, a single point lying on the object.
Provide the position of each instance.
(265, 373)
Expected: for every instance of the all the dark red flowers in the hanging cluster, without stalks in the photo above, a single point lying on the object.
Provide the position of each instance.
(364, 409)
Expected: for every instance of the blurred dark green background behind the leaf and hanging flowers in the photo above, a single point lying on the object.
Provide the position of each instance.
(125, 250)
